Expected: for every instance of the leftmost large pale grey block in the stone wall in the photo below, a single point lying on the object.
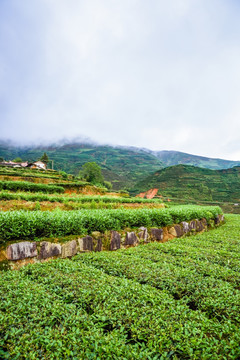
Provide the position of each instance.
(22, 250)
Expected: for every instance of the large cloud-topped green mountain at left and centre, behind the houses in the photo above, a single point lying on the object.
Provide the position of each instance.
(122, 166)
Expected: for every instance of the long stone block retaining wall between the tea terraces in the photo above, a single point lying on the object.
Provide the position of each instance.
(21, 253)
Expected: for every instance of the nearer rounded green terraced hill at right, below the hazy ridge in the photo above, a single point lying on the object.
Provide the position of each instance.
(189, 182)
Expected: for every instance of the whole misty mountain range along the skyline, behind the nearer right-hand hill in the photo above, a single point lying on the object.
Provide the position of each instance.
(123, 166)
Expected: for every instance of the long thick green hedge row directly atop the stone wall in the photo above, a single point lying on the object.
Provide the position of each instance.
(26, 224)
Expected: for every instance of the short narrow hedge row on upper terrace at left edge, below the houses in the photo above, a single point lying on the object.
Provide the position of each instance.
(28, 186)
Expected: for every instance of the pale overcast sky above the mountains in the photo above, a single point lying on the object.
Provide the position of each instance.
(159, 74)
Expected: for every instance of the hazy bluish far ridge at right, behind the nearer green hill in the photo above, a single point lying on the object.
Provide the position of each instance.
(170, 158)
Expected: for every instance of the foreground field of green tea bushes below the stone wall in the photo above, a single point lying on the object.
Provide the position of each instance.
(174, 300)
